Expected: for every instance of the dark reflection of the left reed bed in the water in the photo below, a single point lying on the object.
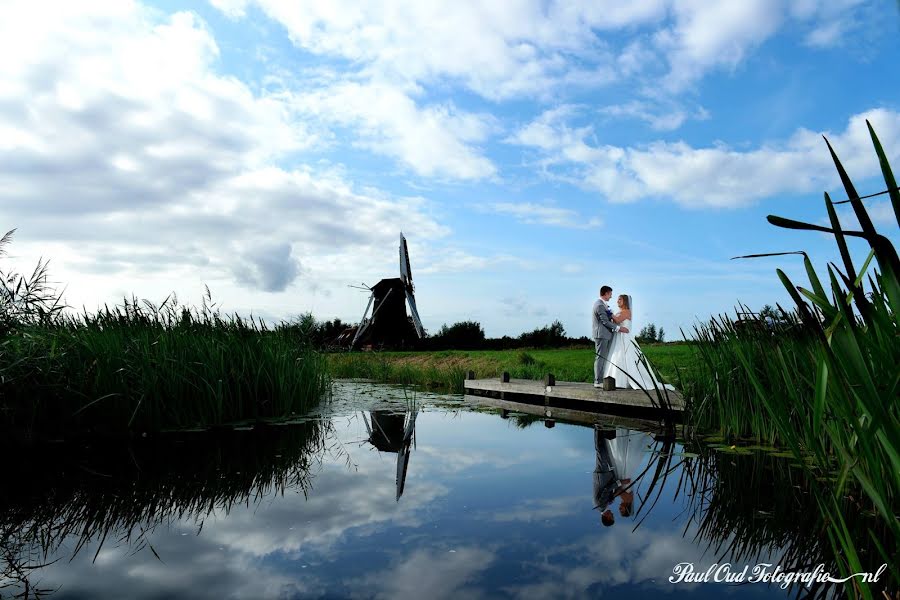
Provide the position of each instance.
(74, 496)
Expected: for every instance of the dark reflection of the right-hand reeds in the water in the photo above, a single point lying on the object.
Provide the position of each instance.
(748, 505)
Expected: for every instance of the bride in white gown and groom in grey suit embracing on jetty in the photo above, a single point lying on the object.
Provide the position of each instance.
(617, 355)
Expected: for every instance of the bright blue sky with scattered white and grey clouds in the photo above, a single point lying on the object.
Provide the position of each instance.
(530, 151)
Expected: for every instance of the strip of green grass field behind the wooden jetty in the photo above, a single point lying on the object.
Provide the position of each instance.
(447, 369)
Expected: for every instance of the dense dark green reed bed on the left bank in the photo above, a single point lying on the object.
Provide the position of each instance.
(141, 368)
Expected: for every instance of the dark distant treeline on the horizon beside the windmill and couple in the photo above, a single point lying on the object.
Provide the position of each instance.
(469, 335)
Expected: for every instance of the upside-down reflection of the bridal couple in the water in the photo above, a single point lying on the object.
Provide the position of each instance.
(619, 455)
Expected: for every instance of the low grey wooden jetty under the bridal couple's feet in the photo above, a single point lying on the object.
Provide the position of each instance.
(570, 395)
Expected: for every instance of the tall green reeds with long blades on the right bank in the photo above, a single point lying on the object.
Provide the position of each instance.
(824, 384)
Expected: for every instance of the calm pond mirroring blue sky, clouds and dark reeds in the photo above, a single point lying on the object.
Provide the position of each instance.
(386, 493)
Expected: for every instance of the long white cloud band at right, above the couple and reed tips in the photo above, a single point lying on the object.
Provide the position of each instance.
(716, 176)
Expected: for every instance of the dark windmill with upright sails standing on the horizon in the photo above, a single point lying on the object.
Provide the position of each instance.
(389, 324)
